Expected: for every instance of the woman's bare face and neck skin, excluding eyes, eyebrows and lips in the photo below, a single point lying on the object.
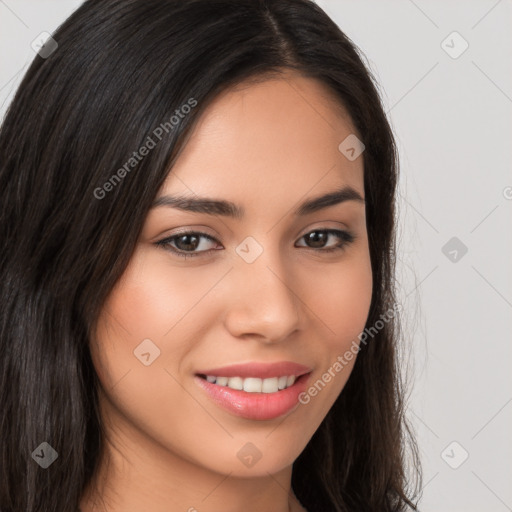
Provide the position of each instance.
(267, 147)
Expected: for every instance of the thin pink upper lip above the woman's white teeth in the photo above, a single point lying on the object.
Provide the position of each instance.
(258, 370)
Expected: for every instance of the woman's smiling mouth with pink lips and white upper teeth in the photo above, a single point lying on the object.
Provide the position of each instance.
(255, 391)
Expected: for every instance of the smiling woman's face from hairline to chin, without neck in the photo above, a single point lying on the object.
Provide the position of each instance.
(272, 297)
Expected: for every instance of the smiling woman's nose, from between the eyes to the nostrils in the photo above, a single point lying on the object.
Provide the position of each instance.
(262, 303)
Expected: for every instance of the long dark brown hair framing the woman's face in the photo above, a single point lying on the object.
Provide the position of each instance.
(121, 68)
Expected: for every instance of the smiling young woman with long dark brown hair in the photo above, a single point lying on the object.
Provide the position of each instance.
(198, 312)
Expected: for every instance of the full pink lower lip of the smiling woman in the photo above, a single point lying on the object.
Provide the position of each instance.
(255, 406)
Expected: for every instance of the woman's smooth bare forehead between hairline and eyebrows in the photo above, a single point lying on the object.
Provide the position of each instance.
(268, 140)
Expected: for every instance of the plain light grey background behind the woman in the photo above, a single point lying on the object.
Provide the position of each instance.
(453, 121)
